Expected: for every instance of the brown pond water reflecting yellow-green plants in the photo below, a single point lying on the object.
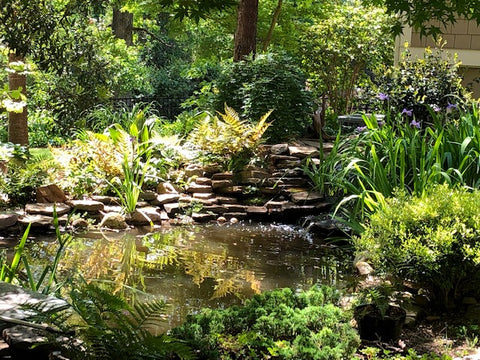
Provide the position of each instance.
(202, 266)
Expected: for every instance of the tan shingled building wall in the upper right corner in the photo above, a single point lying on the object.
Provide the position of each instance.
(462, 38)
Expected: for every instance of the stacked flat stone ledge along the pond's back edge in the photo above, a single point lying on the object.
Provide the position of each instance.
(211, 195)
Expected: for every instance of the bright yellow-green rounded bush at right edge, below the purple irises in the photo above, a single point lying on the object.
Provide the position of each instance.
(432, 240)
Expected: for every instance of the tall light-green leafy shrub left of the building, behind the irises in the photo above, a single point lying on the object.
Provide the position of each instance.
(336, 51)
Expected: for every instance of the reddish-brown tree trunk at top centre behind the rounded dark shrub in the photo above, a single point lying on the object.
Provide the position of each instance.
(246, 33)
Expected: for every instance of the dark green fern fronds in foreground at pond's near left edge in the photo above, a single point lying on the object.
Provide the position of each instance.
(111, 328)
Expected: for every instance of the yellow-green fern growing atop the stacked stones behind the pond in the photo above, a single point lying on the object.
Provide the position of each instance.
(230, 141)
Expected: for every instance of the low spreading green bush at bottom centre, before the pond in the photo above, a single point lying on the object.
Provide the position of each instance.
(277, 324)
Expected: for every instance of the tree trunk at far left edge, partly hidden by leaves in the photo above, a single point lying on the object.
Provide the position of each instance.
(17, 122)
